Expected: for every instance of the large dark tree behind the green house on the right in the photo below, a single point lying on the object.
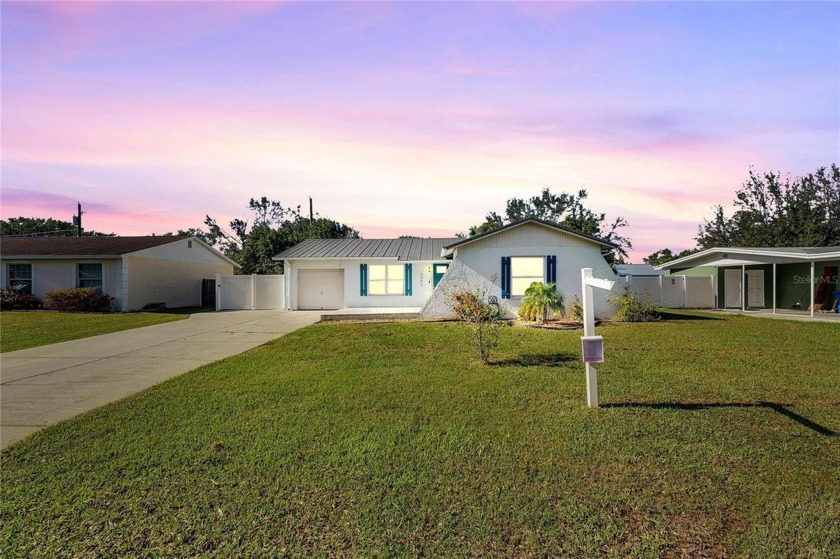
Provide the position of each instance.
(776, 211)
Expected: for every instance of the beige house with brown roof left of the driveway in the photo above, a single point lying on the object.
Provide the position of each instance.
(136, 271)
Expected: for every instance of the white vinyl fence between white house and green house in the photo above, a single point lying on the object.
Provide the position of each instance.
(674, 292)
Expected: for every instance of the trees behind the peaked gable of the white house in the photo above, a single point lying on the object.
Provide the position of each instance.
(567, 210)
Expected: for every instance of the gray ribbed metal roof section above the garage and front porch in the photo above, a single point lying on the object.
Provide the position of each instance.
(405, 249)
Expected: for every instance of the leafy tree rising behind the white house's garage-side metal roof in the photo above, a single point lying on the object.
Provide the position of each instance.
(273, 229)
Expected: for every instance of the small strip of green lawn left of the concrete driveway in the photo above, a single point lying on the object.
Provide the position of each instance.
(23, 329)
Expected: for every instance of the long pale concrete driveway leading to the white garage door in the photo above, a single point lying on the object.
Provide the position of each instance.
(44, 385)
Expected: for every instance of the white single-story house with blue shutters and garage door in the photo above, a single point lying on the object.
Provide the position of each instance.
(406, 272)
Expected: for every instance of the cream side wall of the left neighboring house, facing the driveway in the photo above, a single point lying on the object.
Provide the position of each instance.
(177, 283)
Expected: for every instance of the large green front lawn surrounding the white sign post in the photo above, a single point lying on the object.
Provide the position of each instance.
(718, 437)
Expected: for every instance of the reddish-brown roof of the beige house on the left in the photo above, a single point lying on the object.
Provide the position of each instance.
(80, 246)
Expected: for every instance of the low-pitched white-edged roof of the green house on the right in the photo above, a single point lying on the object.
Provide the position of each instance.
(735, 256)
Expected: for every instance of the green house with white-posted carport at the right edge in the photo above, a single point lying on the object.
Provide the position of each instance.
(767, 278)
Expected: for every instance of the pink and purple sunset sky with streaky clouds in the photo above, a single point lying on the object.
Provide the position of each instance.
(410, 118)
